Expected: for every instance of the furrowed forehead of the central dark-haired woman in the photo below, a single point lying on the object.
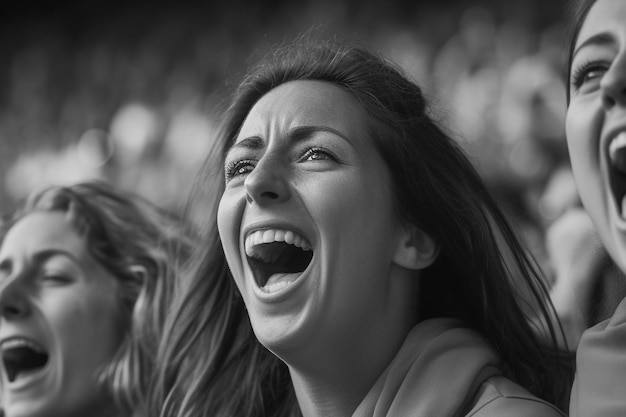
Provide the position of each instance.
(305, 102)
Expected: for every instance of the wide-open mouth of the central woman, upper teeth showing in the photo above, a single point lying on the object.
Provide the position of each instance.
(277, 257)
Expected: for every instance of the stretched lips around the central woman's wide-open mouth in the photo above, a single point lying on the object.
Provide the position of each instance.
(284, 293)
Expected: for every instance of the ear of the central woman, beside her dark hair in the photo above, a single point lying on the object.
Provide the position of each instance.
(415, 249)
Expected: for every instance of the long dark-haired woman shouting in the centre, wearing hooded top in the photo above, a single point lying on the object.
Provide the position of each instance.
(371, 274)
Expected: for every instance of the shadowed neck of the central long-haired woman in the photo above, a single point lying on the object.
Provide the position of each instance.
(334, 370)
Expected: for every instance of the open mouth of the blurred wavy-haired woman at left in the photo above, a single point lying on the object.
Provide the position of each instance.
(21, 357)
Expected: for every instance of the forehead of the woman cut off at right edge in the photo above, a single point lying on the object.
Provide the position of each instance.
(604, 15)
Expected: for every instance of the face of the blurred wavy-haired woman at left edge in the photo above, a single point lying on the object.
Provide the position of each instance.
(59, 319)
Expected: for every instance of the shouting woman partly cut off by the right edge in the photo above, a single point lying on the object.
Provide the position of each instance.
(596, 136)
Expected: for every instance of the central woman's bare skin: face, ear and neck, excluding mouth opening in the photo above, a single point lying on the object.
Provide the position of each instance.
(356, 301)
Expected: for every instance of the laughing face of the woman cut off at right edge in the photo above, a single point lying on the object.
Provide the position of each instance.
(596, 121)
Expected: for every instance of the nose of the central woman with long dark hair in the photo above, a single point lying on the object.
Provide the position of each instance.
(267, 183)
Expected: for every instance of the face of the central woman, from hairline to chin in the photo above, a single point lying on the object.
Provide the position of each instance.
(306, 220)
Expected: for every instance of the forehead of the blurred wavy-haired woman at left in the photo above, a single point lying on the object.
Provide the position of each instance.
(38, 230)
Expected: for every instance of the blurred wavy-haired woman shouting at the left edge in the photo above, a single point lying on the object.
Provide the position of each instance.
(86, 274)
